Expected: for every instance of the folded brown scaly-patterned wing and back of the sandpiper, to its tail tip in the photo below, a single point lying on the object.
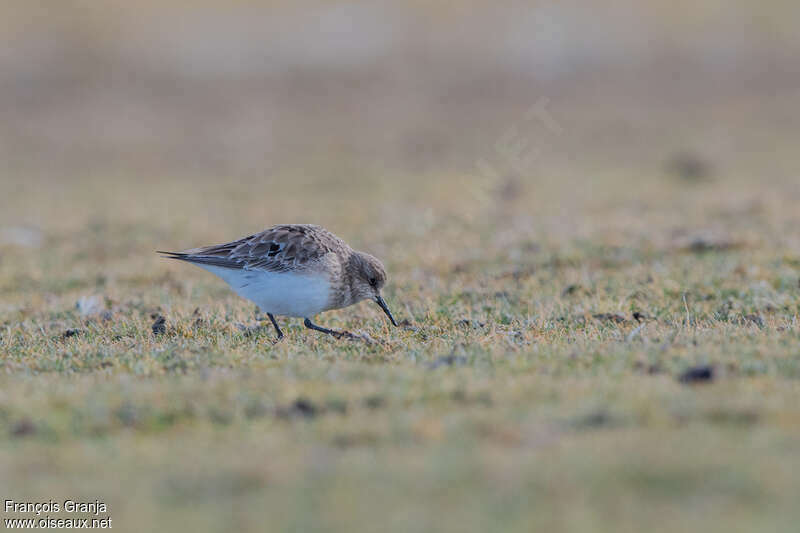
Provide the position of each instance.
(277, 249)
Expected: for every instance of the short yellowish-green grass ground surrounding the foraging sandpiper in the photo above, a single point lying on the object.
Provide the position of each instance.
(533, 383)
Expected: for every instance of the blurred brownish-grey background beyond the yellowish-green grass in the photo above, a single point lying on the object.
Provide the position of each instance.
(245, 90)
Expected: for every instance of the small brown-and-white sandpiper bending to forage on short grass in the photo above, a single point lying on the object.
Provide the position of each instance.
(295, 270)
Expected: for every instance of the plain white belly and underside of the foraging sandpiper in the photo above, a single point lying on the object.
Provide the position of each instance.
(279, 293)
